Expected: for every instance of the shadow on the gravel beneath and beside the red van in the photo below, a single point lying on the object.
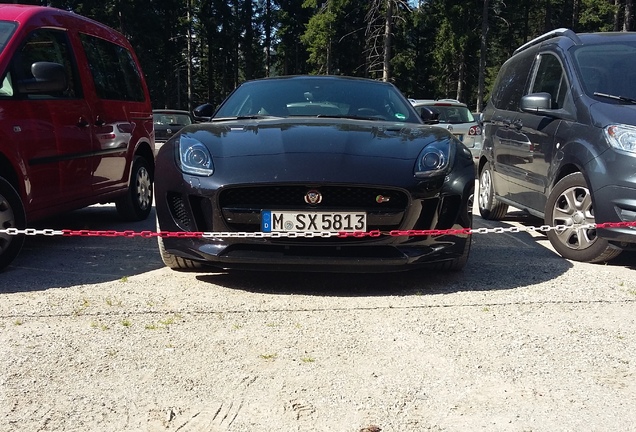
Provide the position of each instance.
(58, 261)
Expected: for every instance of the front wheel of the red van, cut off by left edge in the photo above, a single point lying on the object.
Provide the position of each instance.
(12, 215)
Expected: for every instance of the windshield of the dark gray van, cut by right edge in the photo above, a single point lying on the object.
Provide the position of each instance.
(607, 69)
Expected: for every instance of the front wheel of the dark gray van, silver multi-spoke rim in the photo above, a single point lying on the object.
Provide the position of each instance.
(570, 203)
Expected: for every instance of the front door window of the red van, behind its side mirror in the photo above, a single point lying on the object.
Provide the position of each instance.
(43, 45)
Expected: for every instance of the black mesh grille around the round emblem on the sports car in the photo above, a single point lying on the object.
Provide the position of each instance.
(241, 206)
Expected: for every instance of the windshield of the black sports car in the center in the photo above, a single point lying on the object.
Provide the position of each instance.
(318, 97)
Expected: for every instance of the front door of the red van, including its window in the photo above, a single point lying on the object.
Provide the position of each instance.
(51, 132)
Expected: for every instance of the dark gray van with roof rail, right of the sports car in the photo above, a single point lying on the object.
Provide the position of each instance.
(560, 141)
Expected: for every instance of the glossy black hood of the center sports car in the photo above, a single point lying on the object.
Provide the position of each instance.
(315, 150)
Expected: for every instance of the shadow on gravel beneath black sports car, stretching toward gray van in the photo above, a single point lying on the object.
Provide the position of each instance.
(498, 261)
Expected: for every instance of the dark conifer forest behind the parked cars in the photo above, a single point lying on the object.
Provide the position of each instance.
(196, 51)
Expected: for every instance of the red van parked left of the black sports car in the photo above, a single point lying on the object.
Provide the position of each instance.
(75, 120)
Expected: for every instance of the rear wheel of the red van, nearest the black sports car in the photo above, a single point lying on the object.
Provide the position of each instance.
(137, 203)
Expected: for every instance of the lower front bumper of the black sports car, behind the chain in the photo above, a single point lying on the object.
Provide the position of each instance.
(202, 213)
